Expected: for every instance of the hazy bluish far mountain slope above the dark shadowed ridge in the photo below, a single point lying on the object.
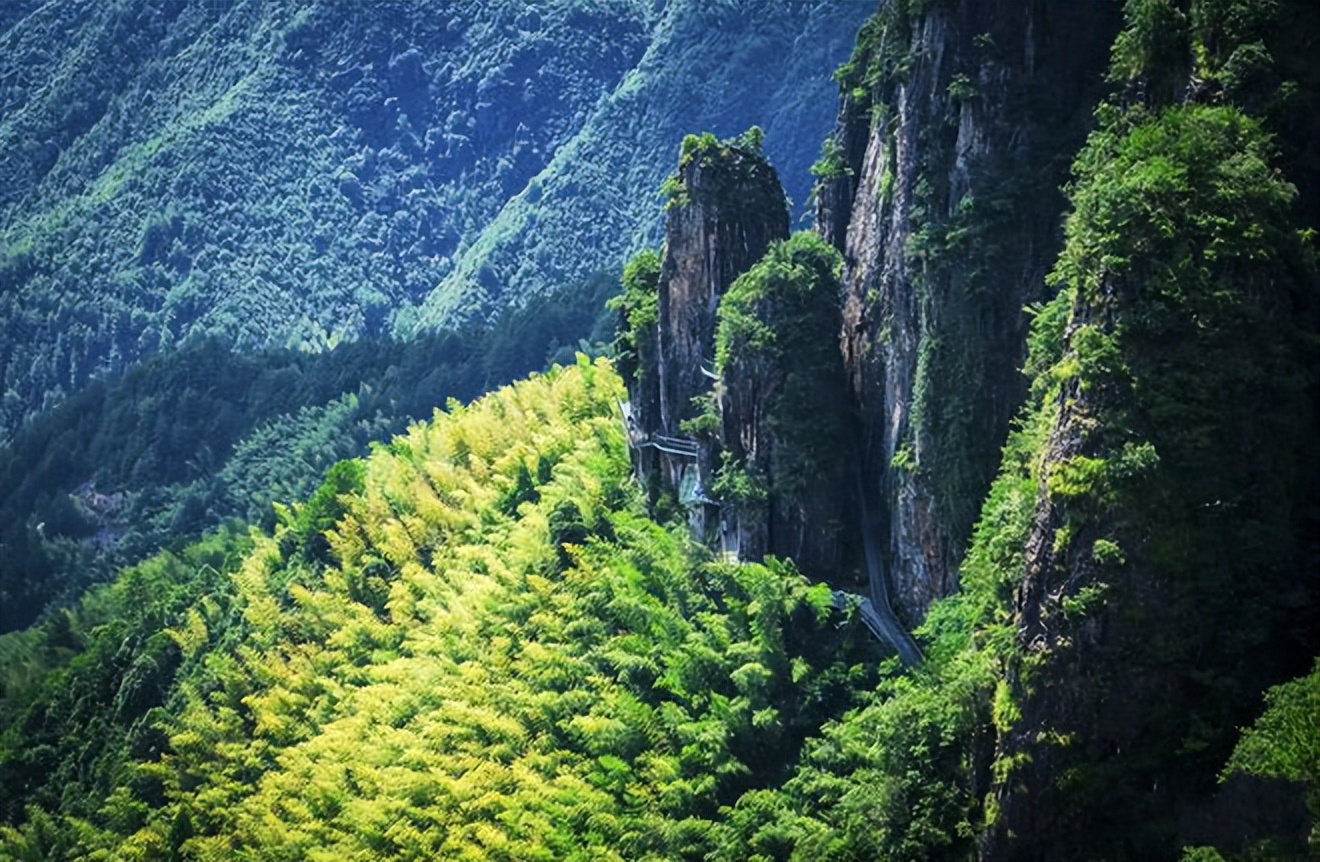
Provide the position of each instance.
(290, 175)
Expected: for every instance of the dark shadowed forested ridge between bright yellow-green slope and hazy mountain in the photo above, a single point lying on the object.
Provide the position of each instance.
(200, 435)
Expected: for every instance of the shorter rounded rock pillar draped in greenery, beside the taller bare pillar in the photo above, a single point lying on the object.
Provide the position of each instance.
(786, 428)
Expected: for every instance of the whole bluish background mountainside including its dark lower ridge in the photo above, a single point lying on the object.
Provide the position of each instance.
(222, 222)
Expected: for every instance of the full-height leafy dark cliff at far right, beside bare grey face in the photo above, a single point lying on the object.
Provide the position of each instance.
(1169, 559)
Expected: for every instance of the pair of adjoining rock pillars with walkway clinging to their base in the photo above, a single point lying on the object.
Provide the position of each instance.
(739, 401)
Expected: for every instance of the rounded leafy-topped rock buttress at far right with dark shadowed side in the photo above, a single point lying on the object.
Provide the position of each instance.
(1178, 455)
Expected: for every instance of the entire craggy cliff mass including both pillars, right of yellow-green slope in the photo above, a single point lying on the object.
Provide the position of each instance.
(1107, 559)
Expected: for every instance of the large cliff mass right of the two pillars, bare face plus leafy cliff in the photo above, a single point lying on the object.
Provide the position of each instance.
(1142, 567)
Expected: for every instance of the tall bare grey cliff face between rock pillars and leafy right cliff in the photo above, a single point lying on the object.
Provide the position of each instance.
(942, 192)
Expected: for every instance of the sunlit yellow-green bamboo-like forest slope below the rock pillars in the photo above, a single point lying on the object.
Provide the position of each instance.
(473, 645)
